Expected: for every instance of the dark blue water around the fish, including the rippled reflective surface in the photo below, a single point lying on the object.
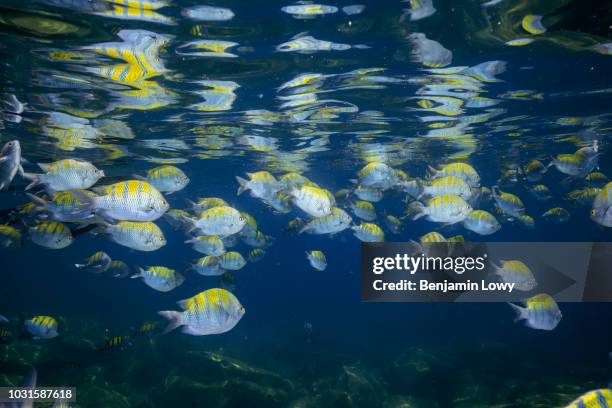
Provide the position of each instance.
(552, 98)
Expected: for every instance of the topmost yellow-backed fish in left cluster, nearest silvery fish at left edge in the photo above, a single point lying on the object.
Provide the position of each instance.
(68, 174)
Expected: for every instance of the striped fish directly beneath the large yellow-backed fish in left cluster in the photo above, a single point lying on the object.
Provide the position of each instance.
(142, 236)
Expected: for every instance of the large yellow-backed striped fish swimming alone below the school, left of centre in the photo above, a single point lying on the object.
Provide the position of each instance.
(213, 311)
